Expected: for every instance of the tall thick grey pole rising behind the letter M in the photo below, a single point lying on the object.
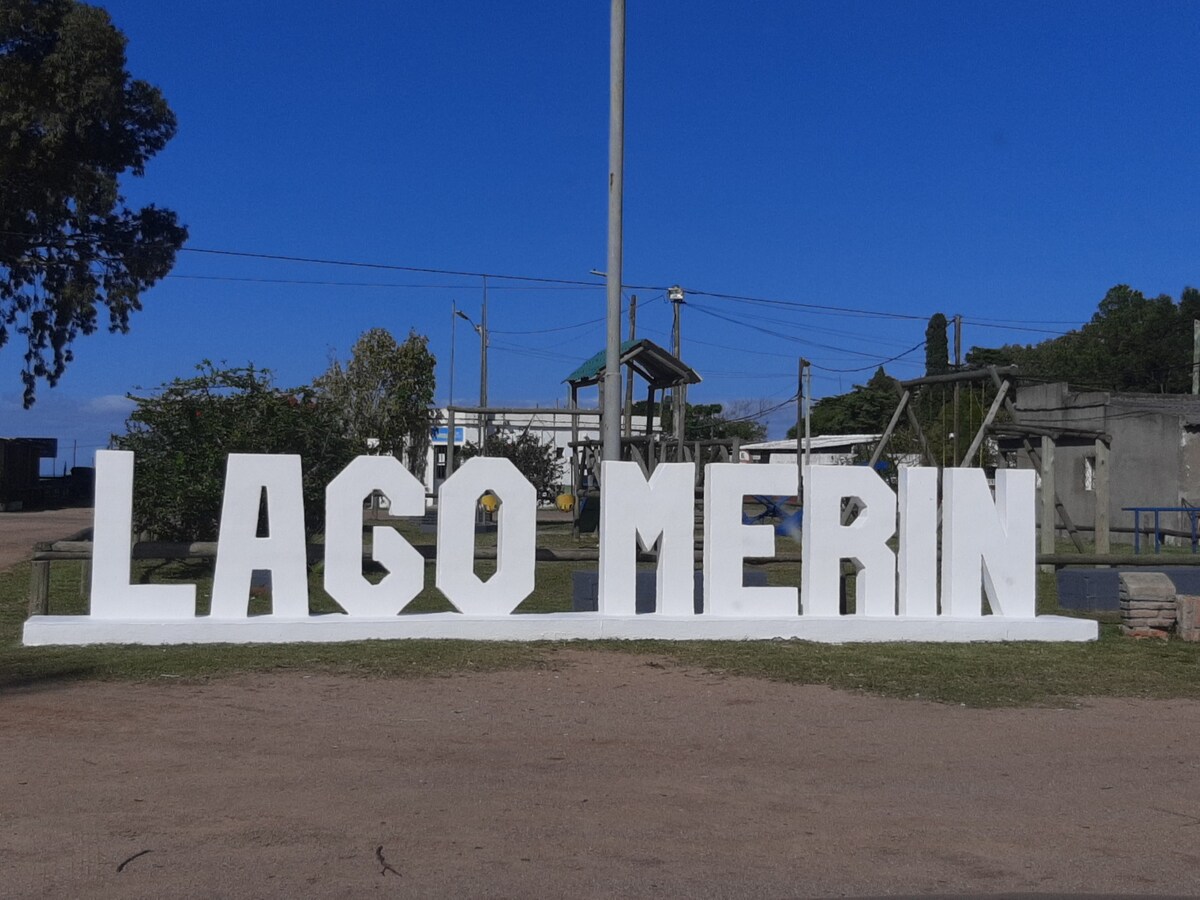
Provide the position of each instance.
(611, 415)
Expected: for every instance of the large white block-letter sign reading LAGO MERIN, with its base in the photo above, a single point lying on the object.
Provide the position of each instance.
(987, 547)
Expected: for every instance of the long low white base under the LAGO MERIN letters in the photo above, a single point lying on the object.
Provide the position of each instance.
(49, 631)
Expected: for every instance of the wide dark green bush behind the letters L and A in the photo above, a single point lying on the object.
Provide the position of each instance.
(184, 431)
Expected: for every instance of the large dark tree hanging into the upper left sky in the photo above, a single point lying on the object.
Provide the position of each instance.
(73, 122)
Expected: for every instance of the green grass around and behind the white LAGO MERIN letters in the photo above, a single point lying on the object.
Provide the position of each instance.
(974, 675)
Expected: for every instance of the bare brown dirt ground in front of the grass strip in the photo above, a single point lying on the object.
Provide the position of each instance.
(605, 776)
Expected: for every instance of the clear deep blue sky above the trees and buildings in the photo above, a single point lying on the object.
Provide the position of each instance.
(1006, 161)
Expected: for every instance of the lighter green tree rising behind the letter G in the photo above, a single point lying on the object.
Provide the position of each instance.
(386, 395)
